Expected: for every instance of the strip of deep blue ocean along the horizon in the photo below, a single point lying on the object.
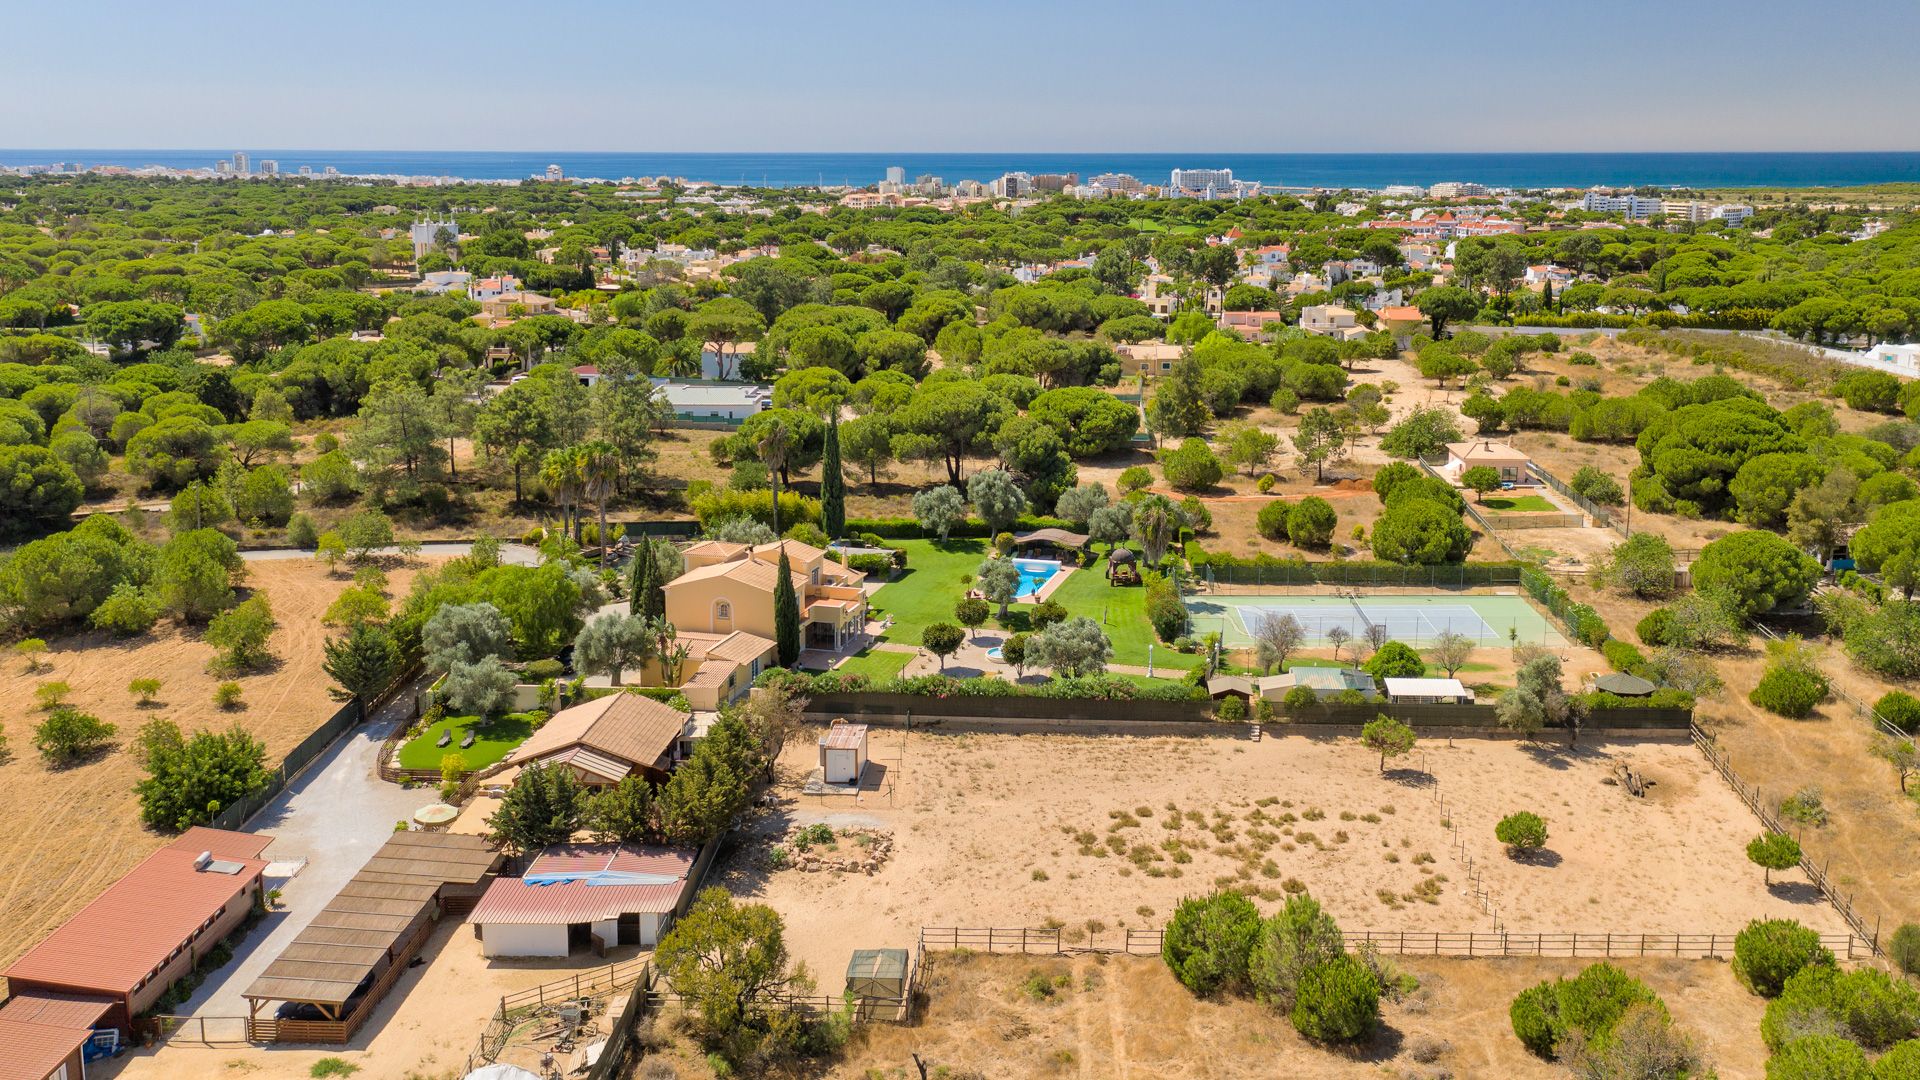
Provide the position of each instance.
(1274, 170)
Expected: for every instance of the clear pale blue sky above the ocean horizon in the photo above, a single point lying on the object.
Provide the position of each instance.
(980, 76)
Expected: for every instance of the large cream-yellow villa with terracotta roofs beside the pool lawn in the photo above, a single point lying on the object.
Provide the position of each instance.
(731, 587)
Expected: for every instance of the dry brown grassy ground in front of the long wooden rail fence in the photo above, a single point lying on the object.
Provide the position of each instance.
(1126, 1018)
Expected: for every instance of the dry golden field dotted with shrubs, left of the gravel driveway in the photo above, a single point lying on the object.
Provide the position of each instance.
(76, 831)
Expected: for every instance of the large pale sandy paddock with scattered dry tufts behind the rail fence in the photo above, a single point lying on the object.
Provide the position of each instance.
(1015, 831)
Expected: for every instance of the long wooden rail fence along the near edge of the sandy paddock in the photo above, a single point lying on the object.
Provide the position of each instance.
(1464, 945)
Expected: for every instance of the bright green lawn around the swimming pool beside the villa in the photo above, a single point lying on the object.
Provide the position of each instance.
(930, 589)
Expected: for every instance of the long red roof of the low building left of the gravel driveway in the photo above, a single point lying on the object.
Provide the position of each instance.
(141, 920)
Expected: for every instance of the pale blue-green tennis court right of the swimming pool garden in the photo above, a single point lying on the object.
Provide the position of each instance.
(1412, 620)
